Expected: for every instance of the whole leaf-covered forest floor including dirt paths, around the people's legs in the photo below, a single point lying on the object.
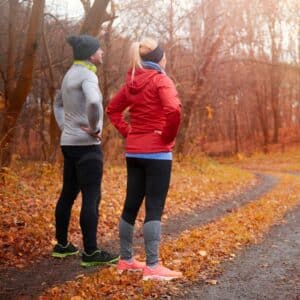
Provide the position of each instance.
(232, 232)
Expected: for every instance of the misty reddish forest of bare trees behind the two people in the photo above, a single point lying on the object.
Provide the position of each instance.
(235, 63)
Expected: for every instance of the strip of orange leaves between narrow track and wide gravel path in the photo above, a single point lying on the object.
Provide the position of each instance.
(218, 241)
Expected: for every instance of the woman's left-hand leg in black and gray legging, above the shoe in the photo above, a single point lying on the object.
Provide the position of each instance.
(134, 197)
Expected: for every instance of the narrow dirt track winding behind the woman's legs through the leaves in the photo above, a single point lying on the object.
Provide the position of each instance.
(48, 272)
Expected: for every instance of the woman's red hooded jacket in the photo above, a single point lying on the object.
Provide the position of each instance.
(154, 111)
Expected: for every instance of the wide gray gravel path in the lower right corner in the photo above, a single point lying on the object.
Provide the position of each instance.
(270, 270)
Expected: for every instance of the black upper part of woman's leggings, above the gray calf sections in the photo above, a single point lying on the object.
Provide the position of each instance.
(148, 178)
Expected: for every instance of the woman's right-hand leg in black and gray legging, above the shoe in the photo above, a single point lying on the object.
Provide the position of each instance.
(158, 174)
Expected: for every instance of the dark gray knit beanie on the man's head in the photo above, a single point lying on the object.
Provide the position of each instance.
(83, 46)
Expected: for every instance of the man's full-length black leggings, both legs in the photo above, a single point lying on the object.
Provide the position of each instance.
(82, 172)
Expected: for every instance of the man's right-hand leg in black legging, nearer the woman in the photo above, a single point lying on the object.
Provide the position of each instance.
(89, 172)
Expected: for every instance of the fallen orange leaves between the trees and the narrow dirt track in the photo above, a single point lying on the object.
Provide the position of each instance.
(27, 203)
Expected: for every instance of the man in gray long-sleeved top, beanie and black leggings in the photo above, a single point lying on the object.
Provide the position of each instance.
(79, 113)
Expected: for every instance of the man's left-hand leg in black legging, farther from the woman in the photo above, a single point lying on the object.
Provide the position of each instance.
(64, 205)
